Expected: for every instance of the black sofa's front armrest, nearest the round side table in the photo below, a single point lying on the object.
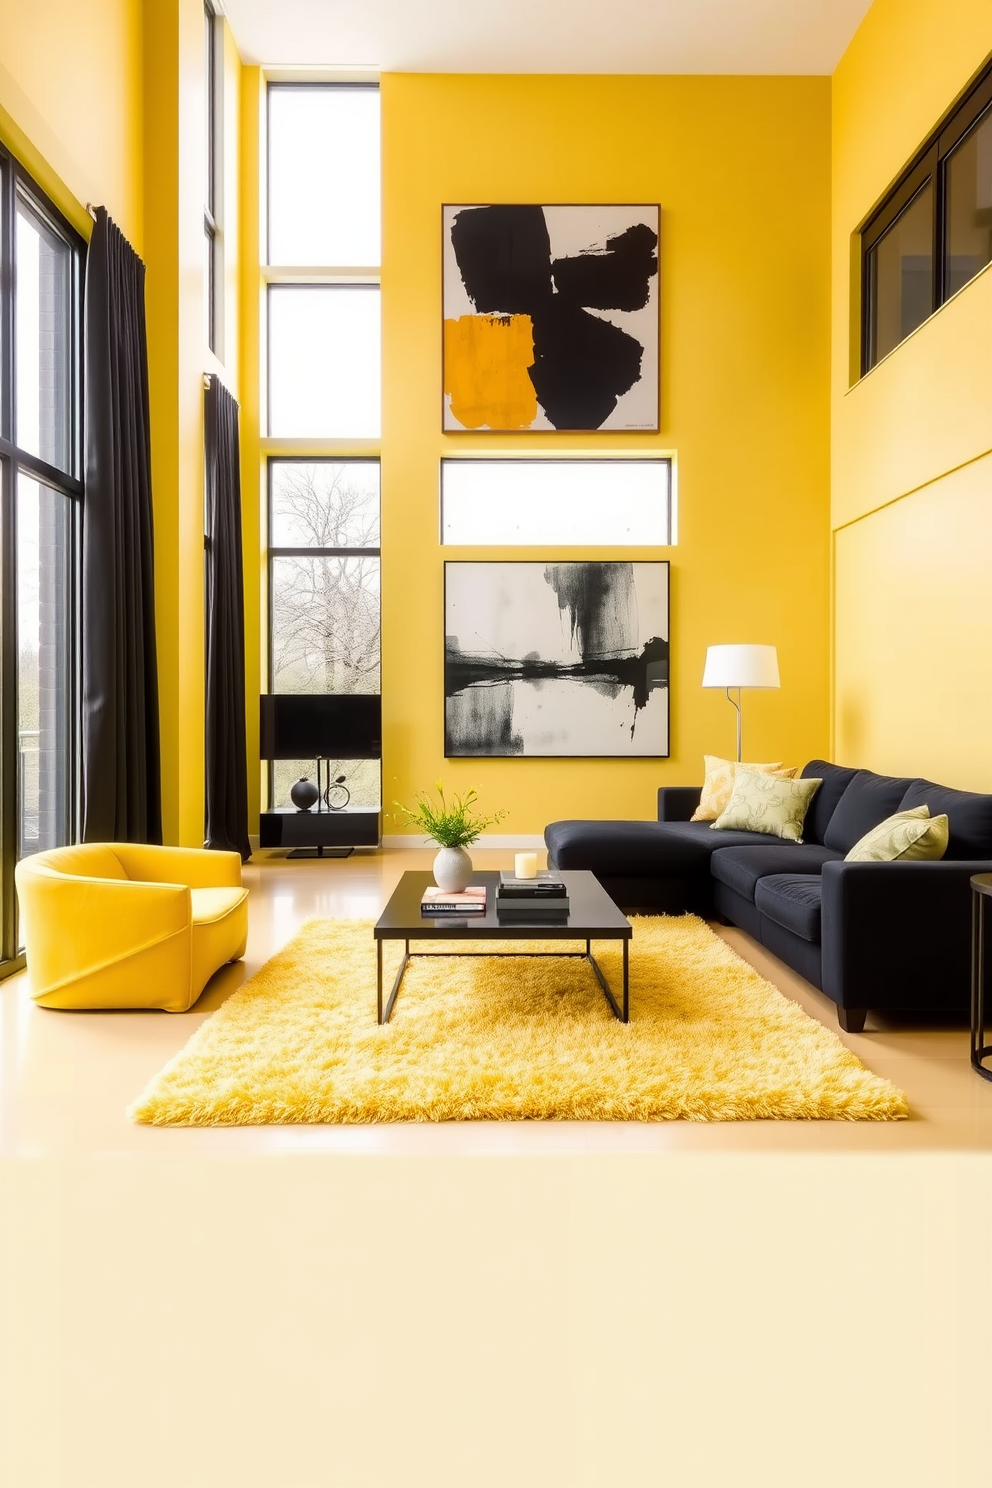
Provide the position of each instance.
(898, 935)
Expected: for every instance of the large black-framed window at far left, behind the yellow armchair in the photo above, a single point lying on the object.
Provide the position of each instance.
(41, 283)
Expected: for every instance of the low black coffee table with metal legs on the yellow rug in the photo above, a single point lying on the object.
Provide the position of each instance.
(593, 916)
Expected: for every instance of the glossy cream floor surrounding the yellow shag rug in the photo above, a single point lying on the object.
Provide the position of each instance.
(66, 1080)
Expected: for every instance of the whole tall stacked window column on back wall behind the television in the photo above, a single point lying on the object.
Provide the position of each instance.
(323, 403)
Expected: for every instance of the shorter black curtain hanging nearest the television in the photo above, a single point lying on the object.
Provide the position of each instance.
(227, 736)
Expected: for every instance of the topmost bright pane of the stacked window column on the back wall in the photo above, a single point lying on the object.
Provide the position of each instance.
(325, 175)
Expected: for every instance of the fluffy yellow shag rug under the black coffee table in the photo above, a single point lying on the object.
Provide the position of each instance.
(512, 1039)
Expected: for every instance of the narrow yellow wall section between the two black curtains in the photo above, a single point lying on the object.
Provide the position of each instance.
(175, 153)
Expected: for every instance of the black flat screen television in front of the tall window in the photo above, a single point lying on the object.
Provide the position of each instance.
(319, 725)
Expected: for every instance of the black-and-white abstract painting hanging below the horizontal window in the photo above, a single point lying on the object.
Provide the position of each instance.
(557, 660)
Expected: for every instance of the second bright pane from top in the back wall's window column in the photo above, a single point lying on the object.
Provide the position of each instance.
(323, 362)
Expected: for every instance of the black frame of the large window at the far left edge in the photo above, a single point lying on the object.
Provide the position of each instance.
(19, 185)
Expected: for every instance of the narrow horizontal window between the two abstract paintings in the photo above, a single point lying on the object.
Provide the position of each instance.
(508, 504)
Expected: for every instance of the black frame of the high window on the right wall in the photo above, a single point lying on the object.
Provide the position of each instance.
(927, 167)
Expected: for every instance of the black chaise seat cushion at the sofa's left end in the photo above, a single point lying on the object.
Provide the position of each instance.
(630, 849)
